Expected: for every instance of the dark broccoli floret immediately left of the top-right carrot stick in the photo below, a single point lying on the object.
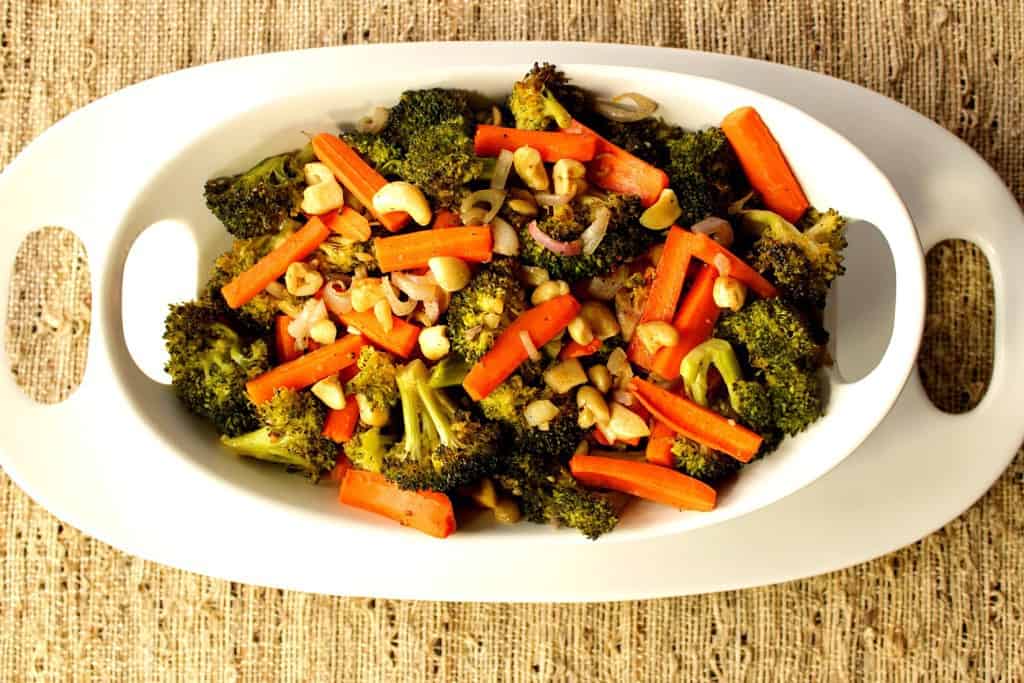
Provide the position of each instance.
(705, 174)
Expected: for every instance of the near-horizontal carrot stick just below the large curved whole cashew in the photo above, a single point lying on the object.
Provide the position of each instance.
(413, 250)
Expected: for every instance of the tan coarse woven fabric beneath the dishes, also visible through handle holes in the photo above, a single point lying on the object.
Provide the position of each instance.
(950, 608)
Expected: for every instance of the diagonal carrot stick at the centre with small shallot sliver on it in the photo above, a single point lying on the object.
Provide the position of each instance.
(542, 323)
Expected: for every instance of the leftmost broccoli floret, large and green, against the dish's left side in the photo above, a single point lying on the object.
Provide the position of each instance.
(210, 364)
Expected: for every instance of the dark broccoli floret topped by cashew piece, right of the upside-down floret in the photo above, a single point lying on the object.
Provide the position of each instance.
(507, 404)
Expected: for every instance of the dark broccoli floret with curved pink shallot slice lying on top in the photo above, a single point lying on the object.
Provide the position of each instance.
(624, 240)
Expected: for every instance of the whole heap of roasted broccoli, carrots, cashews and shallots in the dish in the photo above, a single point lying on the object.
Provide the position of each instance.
(544, 307)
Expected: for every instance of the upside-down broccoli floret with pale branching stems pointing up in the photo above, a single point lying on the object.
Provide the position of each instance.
(443, 447)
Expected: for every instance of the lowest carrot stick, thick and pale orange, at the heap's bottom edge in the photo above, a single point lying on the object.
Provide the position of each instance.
(428, 511)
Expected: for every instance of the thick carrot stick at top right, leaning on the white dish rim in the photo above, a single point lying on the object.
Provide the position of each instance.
(765, 164)
